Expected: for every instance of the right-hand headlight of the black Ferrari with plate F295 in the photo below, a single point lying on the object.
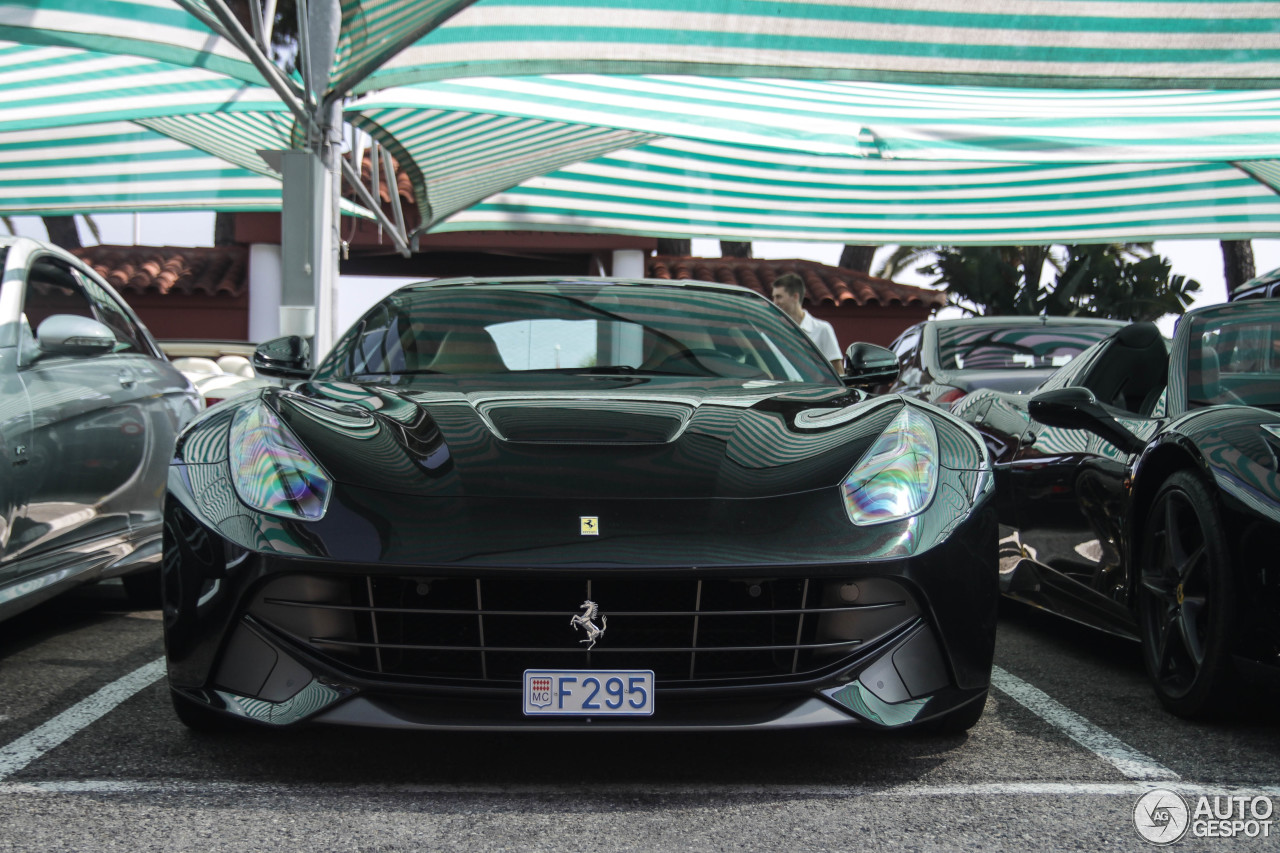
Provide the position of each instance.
(897, 478)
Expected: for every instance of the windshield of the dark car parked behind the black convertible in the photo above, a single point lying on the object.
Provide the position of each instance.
(1013, 348)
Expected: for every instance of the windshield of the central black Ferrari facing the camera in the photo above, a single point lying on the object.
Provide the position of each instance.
(574, 327)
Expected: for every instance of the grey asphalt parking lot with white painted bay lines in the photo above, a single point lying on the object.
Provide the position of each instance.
(92, 758)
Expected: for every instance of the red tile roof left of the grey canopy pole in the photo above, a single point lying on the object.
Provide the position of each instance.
(214, 271)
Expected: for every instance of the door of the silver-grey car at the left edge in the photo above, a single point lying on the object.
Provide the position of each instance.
(89, 443)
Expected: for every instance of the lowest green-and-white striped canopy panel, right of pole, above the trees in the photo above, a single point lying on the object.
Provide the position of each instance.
(680, 189)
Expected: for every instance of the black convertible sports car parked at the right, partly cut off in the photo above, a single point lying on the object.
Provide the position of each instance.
(1139, 492)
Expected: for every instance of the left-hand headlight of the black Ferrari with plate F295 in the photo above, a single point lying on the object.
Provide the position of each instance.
(272, 471)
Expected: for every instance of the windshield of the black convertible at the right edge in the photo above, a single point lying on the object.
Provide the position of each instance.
(1235, 358)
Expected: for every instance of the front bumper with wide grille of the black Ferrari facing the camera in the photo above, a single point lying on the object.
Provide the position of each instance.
(921, 649)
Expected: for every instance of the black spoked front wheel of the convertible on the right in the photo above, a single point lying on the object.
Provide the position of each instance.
(1186, 605)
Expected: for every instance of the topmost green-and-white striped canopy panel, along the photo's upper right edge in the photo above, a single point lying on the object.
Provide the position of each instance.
(1072, 44)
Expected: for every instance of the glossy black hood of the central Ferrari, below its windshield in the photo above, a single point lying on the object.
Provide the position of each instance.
(639, 439)
